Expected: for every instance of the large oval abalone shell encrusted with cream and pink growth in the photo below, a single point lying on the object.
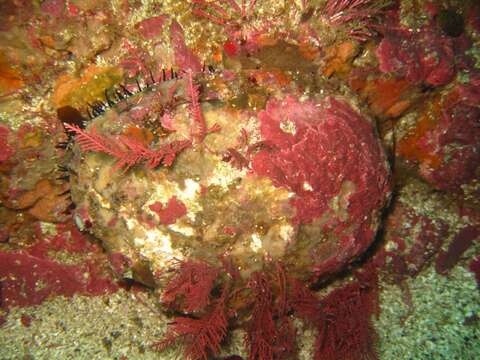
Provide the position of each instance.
(299, 182)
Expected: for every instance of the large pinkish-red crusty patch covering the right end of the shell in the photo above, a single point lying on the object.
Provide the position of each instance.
(311, 154)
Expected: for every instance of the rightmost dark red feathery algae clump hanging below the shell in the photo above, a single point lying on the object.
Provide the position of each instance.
(343, 317)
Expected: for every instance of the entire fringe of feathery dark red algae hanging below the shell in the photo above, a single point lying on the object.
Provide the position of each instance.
(343, 317)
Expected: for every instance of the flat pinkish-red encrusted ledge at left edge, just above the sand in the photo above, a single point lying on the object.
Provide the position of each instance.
(30, 276)
